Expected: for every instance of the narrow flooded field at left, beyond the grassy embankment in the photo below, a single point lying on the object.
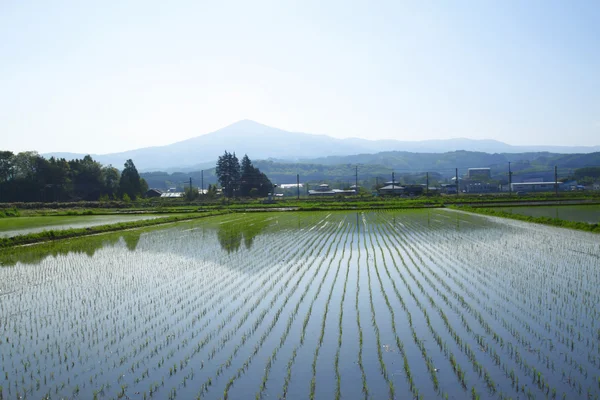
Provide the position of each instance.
(22, 225)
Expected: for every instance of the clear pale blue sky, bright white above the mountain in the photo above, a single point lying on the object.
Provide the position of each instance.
(108, 76)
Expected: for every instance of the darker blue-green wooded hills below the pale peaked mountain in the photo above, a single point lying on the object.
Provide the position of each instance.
(407, 166)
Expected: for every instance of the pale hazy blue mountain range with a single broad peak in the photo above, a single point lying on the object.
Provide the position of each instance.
(264, 142)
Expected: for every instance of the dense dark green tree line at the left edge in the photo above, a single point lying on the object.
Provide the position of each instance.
(27, 176)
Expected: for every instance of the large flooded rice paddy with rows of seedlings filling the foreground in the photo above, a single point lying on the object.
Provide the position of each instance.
(387, 304)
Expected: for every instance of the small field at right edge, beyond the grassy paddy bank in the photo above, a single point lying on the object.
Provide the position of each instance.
(579, 213)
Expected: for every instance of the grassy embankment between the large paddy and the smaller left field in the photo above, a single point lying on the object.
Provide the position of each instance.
(70, 233)
